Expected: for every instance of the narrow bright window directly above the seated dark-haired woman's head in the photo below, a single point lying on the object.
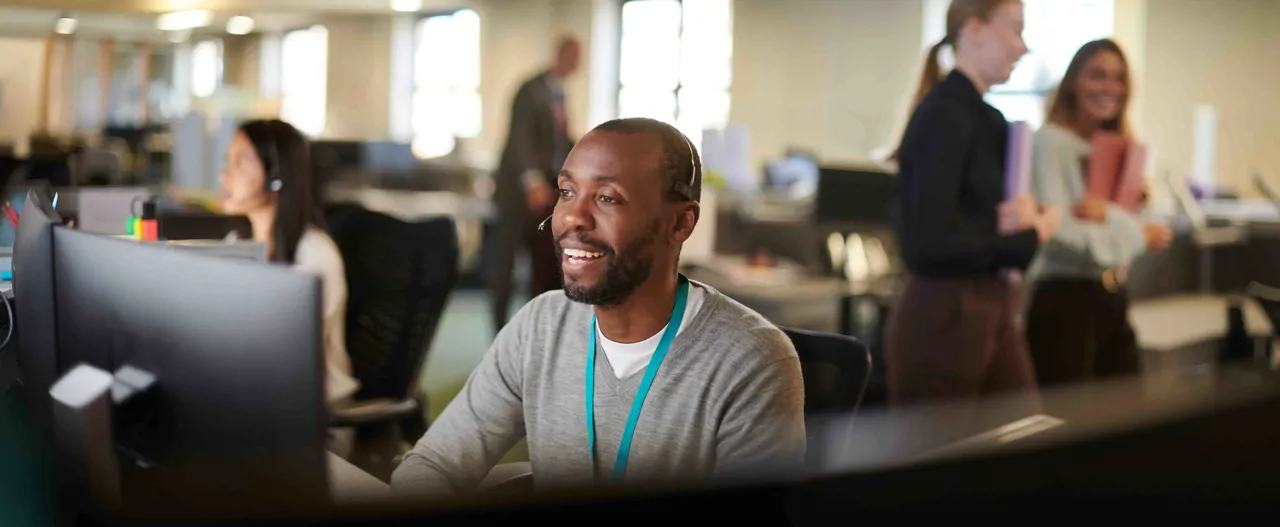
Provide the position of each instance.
(304, 68)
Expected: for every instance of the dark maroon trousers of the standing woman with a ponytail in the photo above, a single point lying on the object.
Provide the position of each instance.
(956, 341)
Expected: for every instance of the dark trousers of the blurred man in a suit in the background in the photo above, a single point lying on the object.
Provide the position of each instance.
(519, 231)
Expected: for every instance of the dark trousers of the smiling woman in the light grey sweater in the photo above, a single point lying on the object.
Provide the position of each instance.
(1078, 331)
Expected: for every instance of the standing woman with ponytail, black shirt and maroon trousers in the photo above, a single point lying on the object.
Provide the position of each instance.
(953, 334)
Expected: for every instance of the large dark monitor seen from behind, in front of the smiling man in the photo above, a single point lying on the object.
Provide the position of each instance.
(237, 419)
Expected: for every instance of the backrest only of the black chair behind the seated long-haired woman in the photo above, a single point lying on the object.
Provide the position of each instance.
(399, 279)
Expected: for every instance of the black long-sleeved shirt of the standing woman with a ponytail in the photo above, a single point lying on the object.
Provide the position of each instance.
(952, 168)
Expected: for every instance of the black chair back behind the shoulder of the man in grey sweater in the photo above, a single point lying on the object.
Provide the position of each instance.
(836, 370)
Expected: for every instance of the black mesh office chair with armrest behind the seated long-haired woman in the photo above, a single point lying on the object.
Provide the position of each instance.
(399, 279)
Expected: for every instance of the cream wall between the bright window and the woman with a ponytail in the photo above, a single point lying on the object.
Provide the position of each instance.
(829, 76)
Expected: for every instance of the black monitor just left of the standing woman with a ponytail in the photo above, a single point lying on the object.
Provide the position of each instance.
(856, 196)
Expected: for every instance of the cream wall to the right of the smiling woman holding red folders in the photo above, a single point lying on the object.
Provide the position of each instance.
(1223, 54)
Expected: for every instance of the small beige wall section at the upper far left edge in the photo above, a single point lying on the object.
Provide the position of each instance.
(20, 86)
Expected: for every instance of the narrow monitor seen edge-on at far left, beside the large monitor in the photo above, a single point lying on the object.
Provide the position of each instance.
(34, 303)
